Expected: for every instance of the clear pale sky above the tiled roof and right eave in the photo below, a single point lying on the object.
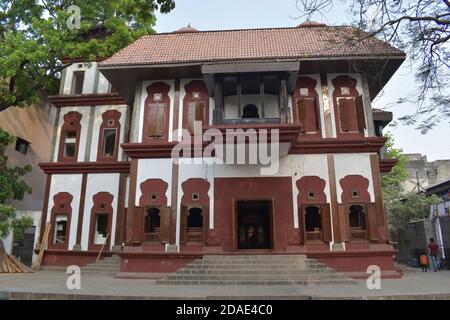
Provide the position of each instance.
(243, 14)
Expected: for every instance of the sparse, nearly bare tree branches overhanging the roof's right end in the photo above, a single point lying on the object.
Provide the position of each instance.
(421, 28)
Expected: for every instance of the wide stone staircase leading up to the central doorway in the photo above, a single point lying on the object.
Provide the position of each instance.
(255, 270)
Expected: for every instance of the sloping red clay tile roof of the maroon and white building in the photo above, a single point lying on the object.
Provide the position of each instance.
(253, 44)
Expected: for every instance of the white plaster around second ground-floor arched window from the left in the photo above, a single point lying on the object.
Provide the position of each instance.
(99, 182)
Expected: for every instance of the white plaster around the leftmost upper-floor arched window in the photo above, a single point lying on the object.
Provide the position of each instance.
(85, 112)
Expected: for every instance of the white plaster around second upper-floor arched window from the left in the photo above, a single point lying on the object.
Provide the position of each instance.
(99, 110)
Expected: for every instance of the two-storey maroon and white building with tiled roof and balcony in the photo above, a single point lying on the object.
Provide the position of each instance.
(113, 179)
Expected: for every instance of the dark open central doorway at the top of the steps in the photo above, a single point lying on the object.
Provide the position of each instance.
(254, 224)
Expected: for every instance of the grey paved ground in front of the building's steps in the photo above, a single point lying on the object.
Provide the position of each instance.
(52, 285)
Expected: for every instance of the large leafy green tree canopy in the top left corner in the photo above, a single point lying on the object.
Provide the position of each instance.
(37, 36)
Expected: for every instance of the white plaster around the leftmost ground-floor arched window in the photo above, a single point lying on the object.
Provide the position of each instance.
(70, 183)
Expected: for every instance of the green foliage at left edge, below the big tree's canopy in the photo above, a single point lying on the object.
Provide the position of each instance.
(11, 185)
